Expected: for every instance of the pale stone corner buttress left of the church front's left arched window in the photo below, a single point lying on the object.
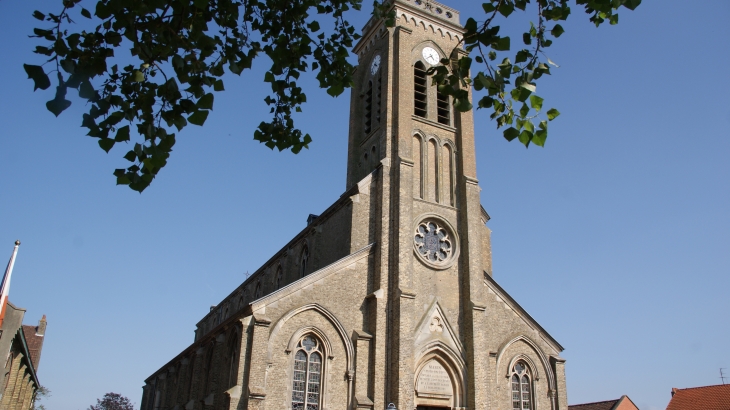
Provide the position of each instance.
(259, 359)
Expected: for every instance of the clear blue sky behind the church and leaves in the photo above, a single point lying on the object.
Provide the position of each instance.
(615, 236)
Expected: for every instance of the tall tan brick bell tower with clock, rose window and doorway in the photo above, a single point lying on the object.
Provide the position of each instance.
(418, 151)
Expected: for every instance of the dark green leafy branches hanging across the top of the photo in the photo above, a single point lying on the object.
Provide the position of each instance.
(180, 50)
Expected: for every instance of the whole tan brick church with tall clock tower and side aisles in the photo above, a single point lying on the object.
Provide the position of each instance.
(388, 295)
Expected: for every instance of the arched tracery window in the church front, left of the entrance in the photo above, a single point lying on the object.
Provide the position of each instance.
(307, 375)
